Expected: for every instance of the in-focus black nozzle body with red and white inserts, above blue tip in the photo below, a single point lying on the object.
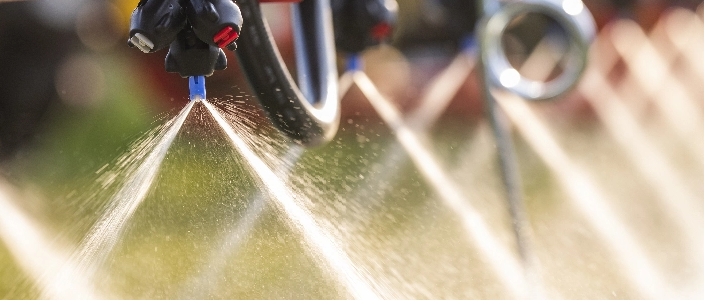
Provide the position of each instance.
(193, 30)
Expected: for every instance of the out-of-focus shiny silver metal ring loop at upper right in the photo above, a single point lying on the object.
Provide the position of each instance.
(571, 15)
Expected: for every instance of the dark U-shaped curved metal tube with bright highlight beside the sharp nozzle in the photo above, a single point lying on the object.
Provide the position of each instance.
(309, 114)
